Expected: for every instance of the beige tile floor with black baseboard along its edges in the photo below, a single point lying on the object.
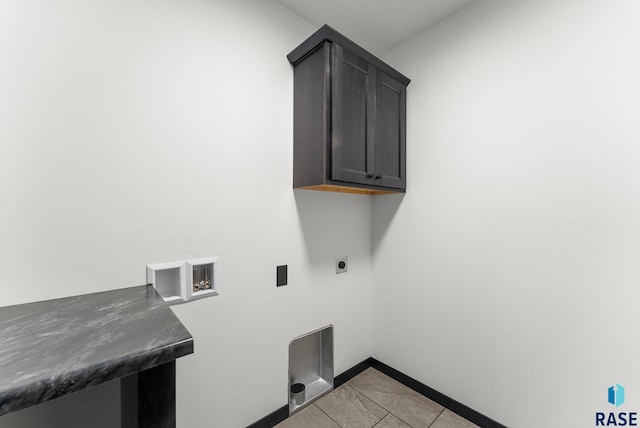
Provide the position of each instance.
(373, 399)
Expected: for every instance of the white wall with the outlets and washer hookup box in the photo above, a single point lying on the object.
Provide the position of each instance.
(136, 132)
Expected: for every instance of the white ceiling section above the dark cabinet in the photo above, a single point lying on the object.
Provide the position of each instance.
(376, 25)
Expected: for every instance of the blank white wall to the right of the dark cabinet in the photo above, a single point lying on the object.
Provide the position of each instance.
(508, 276)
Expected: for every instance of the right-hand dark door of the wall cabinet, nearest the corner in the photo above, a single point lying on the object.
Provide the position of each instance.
(389, 148)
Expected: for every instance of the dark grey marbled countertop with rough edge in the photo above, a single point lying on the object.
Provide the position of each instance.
(52, 348)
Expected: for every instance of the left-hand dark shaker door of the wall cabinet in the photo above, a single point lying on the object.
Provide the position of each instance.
(352, 118)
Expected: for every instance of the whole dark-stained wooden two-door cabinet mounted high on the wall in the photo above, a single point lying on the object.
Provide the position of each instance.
(349, 118)
